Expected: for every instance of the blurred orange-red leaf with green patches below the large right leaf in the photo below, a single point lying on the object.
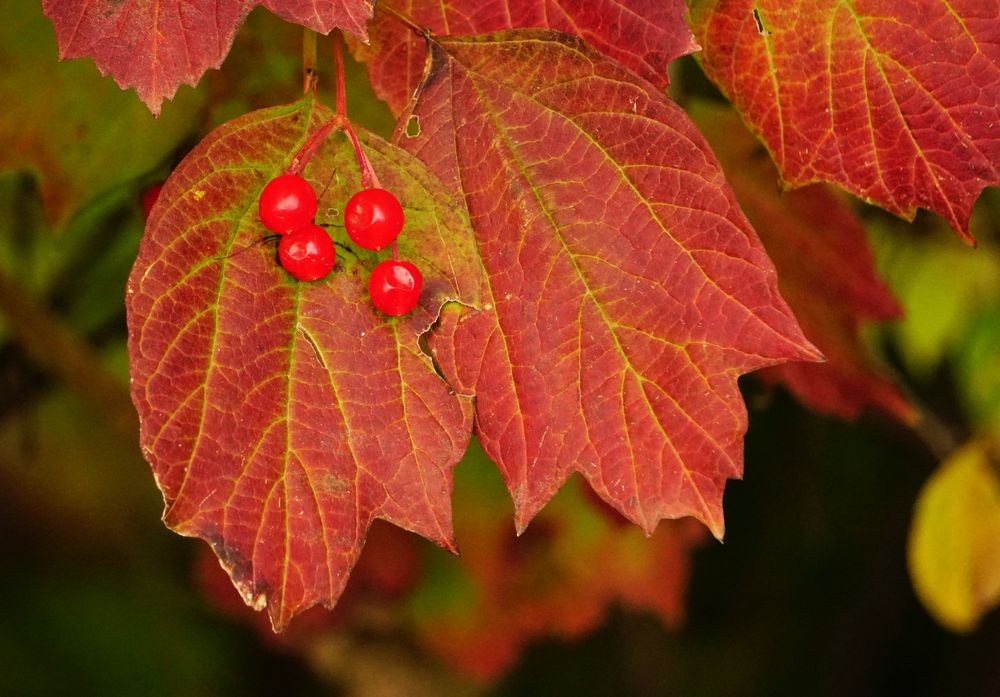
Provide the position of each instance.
(479, 611)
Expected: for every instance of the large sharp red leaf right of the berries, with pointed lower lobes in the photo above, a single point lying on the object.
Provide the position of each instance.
(626, 291)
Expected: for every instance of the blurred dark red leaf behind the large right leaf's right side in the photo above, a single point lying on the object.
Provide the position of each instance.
(825, 271)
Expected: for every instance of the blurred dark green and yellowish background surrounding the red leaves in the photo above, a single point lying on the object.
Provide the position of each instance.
(809, 595)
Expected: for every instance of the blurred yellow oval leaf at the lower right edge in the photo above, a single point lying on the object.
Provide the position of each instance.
(954, 546)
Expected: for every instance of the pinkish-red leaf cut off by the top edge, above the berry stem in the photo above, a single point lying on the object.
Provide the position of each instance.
(157, 45)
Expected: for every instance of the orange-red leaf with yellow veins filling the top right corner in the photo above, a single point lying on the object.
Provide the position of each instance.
(895, 100)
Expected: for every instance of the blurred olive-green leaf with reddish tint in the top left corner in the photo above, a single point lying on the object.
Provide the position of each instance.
(77, 132)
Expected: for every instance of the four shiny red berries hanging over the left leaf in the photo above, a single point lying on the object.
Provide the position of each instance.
(373, 218)
